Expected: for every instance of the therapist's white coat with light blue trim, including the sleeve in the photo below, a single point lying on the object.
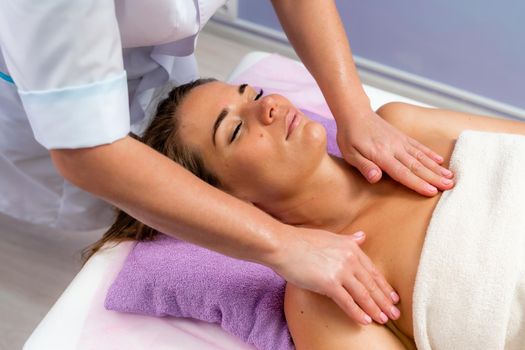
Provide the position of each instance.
(79, 74)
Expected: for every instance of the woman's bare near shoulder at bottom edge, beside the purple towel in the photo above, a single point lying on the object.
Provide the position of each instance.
(316, 322)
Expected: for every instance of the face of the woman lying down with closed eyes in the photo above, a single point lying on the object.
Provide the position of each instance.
(261, 148)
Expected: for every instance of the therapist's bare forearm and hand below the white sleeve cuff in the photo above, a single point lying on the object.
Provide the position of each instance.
(165, 196)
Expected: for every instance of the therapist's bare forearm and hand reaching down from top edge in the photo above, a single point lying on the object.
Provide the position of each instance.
(365, 139)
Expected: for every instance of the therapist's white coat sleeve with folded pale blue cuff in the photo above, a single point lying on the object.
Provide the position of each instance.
(65, 56)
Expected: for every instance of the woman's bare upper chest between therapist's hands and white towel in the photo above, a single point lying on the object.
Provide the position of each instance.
(396, 229)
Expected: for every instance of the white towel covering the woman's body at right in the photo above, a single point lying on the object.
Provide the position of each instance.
(470, 285)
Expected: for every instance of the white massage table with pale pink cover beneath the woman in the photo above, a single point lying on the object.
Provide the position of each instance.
(78, 319)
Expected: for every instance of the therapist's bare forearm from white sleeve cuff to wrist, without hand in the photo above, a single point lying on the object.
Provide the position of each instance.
(163, 195)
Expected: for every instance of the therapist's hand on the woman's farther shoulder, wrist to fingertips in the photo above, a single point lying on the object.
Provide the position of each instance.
(370, 143)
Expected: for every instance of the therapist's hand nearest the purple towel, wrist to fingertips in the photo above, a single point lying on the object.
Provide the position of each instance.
(335, 266)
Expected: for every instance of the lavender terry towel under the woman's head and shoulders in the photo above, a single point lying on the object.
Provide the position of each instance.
(168, 277)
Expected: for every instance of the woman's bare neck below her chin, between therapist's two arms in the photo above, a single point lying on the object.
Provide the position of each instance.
(332, 198)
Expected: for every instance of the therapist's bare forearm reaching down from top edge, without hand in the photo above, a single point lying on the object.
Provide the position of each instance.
(315, 31)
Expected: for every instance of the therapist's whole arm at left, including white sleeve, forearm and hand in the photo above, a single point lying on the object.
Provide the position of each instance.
(66, 60)
